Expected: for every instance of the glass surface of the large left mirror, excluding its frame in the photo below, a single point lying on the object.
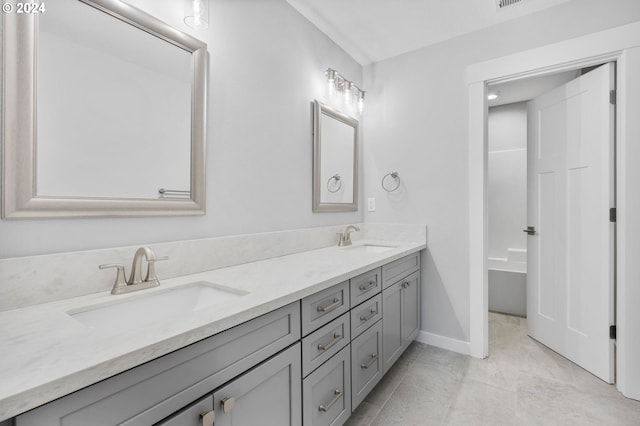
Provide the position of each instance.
(125, 94)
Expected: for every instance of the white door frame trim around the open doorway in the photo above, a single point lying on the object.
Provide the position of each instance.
(620, 45)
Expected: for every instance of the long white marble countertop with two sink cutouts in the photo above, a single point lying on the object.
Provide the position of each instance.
(45, 353)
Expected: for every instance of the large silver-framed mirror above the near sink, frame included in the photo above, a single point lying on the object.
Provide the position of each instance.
(103, 113)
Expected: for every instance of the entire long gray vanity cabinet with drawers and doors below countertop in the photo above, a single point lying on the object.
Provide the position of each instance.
(308, 363)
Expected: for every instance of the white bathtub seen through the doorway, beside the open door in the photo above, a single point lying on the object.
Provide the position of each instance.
(508, 283)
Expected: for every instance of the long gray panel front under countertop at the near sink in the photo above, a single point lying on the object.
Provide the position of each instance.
(149, 393)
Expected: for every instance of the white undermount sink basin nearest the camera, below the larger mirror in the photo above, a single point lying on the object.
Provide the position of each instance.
(144, 309)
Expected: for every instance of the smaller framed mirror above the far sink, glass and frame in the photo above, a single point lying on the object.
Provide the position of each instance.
(335, 160)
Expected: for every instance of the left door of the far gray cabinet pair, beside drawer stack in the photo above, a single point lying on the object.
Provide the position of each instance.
(392, 325)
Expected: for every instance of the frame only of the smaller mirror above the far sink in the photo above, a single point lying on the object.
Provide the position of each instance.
(319, 111)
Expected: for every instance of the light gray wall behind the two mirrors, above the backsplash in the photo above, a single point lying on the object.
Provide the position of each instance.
(267, 65)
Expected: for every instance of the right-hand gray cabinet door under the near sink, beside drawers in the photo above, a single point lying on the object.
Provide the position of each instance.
(268, 395)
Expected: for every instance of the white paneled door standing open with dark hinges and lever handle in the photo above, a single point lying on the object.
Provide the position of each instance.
(570, 285)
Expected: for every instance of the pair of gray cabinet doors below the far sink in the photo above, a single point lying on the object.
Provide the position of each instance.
(401, 321)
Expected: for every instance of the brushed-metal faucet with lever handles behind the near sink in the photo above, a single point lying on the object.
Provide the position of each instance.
(135, 281)
